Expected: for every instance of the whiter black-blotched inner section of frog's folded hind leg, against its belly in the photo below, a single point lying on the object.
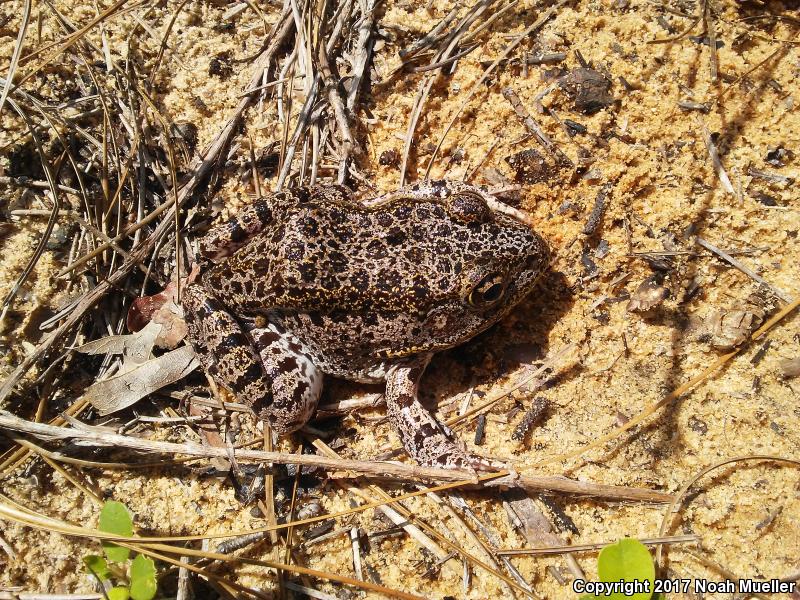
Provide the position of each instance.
(296, 382)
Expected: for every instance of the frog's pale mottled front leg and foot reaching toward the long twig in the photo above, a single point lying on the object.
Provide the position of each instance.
(427, 441)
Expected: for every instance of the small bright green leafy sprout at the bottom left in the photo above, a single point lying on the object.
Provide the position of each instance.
(122, 579)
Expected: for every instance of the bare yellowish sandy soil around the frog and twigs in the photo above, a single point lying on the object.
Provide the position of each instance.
(663, 190)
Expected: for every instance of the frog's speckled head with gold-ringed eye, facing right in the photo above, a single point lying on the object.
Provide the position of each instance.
(485, 260)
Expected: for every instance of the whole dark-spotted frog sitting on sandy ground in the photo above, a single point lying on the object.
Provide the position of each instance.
(309, 282)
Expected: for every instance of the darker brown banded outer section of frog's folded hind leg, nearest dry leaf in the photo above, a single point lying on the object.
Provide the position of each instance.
(223, 348)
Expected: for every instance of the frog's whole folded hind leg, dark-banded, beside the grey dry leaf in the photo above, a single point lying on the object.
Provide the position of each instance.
(261, 367)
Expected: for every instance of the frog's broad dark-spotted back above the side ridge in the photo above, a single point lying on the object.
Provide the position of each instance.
(327, 254)
